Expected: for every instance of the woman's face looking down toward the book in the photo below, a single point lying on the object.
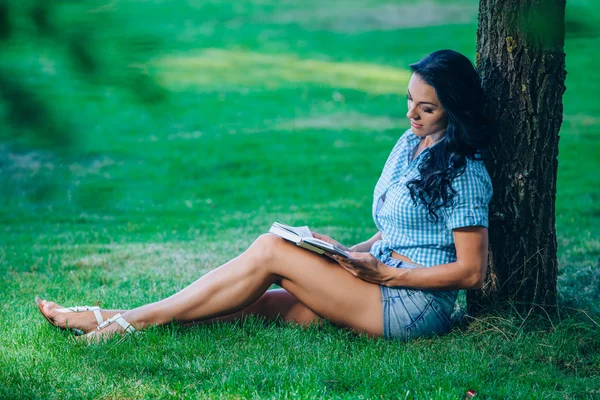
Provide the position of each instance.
(426, 114)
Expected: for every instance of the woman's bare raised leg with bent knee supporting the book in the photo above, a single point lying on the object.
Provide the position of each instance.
(322, 285)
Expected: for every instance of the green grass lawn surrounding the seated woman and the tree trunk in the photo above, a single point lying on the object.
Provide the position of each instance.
(272, 110)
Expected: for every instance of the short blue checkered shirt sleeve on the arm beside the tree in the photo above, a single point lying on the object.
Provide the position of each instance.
(472, 198)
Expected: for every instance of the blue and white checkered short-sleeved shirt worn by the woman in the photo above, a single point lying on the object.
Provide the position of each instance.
(404, 225)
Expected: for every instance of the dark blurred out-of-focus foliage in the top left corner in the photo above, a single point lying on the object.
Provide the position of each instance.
(62, 46)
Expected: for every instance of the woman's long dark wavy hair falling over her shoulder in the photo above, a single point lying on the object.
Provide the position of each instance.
(459, 91)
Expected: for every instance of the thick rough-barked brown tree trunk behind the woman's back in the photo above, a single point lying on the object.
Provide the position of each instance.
(521, 60)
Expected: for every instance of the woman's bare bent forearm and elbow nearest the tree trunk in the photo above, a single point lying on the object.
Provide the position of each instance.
(467, 272)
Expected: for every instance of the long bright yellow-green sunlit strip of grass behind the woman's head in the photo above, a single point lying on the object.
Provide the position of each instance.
(217, 68)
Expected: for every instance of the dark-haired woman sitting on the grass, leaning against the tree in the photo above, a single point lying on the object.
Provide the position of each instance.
(430, 207)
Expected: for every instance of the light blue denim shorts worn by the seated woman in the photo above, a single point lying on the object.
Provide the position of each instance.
(412, 313)
